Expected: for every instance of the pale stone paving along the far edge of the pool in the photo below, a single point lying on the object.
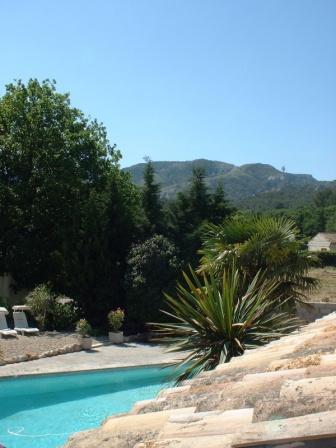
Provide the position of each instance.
(102, 357)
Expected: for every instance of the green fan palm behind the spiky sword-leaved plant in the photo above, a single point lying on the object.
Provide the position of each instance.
(259, 243)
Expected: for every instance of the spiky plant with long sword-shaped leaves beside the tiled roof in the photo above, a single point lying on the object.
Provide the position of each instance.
(214, 321)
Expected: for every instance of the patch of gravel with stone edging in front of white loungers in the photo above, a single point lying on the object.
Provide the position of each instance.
(23, 345)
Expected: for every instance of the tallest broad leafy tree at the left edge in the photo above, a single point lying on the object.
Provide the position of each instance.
(51, 159)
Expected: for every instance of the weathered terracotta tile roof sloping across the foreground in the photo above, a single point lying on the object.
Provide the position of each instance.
(282, 392)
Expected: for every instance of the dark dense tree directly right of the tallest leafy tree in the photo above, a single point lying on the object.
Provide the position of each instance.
(113, 220)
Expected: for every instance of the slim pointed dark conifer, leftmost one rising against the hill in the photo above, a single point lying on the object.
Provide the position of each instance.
(151, 200)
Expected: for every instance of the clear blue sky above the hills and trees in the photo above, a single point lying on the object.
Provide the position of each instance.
(234, 80)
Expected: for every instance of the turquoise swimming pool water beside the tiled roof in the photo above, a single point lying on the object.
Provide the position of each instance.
(42, 411)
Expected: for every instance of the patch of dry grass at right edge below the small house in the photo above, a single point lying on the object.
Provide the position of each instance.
(327, 290)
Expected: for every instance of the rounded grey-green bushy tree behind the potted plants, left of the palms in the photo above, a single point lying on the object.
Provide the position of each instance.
(152, 268)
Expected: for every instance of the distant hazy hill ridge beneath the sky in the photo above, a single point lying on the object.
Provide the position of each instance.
(256, 181)
